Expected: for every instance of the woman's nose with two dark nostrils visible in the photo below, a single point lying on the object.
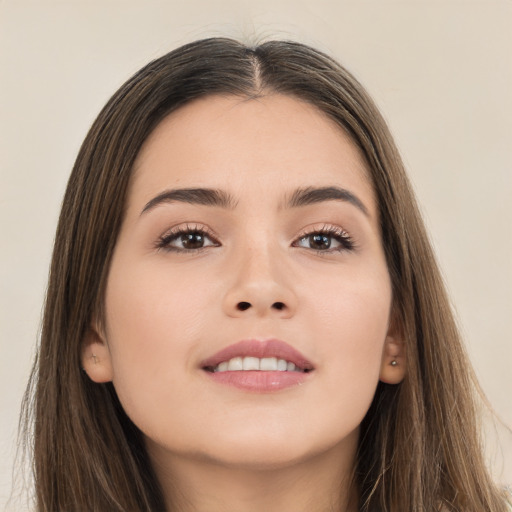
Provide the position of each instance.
(259, 287)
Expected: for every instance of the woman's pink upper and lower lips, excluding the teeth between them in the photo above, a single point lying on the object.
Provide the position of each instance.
(259, 381)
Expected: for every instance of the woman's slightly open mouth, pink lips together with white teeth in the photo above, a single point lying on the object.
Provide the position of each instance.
(257, 365)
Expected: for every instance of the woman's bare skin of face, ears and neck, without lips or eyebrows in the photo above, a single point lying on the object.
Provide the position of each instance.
(215, 447)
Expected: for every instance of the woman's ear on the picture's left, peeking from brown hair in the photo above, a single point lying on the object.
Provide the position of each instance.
(96, 358)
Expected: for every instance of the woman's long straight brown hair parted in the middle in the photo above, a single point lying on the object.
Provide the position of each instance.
(419, 443)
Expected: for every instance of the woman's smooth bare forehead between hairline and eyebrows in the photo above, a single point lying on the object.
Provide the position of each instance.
(268, 144)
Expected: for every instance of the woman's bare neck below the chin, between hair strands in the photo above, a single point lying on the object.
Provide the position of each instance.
(322, 483)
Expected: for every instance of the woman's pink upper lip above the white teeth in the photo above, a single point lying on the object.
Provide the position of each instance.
(259, 348)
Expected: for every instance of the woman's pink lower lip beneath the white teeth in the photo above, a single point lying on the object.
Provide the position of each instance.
(259, 381)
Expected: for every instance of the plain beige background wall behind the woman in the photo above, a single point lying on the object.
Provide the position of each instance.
(441, 71)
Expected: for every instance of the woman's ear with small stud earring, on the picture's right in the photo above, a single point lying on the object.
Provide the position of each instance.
(393, 365)
